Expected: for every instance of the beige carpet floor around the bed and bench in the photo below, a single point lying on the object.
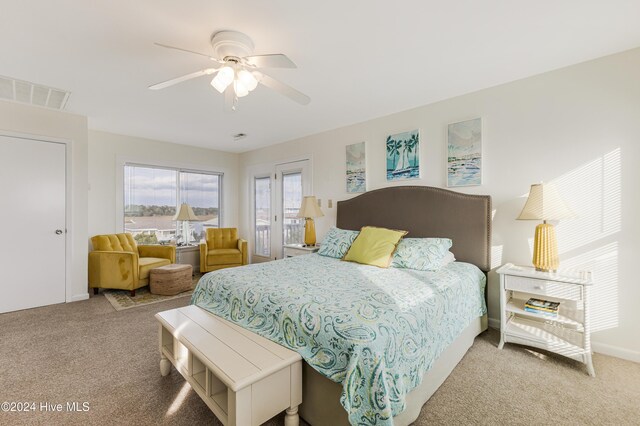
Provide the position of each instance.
(86, 352)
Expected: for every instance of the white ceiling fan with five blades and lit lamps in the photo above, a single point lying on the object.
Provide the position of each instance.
(236, 71)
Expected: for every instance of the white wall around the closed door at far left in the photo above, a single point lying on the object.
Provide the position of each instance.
(28, 120)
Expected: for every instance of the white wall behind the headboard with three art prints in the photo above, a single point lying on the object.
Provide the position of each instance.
(578, 126)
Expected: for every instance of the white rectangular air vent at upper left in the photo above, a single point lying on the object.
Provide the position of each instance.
(34, 94)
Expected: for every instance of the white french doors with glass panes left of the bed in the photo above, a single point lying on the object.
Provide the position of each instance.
(277, 199)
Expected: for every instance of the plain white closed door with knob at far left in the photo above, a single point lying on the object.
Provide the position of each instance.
(32, 250)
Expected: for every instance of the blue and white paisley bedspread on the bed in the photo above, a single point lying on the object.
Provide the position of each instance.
(376, 331)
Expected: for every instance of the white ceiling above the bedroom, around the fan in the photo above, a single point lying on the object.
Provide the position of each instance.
(357, 59)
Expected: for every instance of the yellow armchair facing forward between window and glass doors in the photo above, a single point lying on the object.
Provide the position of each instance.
(222, 249)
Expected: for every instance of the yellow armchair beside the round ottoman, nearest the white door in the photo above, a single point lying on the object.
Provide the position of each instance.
(118, 262)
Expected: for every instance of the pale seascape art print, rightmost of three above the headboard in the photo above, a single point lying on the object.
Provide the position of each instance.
(464, 163)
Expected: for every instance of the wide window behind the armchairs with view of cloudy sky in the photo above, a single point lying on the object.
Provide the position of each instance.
(153, 194)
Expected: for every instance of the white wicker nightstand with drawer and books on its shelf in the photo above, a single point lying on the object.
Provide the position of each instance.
(568, 334)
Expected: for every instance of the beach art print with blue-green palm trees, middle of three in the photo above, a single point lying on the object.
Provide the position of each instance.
(403, 156)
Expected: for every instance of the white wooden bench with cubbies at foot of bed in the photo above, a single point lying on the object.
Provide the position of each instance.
(244, 378)
